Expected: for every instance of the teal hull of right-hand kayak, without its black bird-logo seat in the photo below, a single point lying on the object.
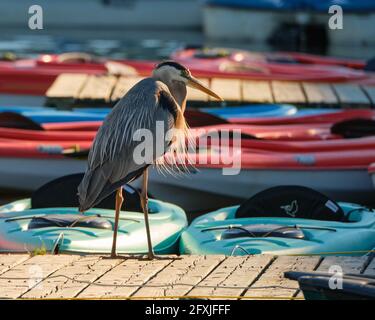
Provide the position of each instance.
(320, 237)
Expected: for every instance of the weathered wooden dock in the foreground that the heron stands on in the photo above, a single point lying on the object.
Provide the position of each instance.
(173, 277)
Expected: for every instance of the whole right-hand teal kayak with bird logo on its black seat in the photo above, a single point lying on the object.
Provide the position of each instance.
(280, 221)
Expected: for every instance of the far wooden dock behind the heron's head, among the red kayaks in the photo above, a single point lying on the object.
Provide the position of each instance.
(82, 89)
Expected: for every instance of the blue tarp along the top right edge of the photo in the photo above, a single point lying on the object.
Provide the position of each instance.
(311, 5)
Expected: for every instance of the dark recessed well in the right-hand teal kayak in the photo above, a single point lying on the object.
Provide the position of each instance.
(263, 231)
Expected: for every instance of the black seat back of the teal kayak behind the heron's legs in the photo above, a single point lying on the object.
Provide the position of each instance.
(62, 192)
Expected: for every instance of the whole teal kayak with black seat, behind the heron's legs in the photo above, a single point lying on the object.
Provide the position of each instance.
(50, 221)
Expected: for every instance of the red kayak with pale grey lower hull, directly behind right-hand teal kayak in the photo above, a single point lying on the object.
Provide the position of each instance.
(228, 178)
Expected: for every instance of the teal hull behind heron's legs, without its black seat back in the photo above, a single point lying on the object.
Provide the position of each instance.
(166, 223)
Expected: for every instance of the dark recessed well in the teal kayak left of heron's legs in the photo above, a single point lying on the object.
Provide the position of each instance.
(69, 220)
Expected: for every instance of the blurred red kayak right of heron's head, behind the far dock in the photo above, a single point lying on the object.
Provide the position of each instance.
(244, 65)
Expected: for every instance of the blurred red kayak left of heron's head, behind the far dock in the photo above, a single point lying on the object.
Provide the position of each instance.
(34, 76)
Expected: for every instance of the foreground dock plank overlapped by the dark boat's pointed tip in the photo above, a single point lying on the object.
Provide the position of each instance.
(273, 284)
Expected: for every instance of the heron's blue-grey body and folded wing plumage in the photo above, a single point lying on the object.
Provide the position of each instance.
(111, 159)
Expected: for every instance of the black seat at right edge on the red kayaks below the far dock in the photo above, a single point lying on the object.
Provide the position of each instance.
(354, 128)
